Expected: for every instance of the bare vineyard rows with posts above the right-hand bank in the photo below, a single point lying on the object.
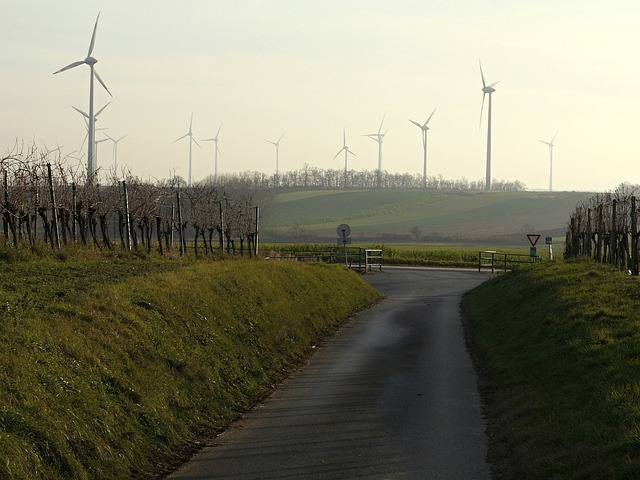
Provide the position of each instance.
(606, 229)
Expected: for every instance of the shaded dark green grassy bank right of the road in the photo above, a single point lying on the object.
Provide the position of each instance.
(558, 348)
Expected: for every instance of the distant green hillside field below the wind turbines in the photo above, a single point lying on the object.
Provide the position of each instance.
(390, 214)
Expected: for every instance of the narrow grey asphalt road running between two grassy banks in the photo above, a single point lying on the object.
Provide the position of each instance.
(392, 396)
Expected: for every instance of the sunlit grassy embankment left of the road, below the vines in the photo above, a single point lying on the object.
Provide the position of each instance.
(111, 367)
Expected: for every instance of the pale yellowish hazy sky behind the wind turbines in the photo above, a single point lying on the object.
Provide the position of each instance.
(310, 69)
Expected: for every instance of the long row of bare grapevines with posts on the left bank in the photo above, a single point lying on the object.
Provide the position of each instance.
(52, 202)
